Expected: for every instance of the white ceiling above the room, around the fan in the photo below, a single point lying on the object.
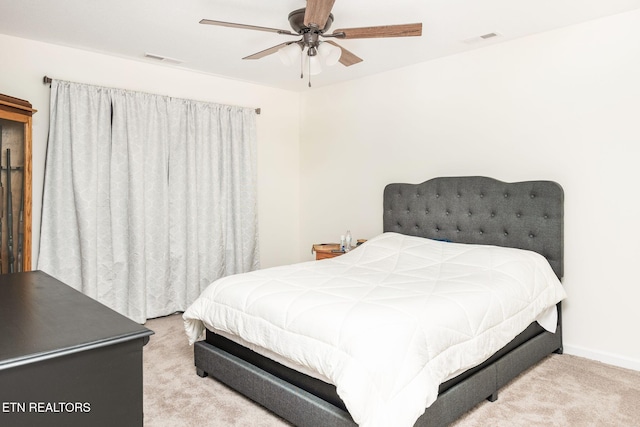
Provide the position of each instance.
(170, 28)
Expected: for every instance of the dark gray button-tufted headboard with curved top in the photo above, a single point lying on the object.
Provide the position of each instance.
(525, 215)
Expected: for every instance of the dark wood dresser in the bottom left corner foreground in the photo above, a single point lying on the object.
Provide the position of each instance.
(65, 359)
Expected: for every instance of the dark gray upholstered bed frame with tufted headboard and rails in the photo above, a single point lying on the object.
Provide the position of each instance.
(526, 215)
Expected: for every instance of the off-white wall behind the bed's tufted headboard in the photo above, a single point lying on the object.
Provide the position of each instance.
(562, 105)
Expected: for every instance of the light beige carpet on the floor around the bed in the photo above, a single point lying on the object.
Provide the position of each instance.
(562, 390)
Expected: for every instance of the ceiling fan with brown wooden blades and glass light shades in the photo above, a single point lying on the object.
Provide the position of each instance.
(312, 23)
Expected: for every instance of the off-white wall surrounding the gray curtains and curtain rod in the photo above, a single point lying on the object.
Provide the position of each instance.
(25, 63)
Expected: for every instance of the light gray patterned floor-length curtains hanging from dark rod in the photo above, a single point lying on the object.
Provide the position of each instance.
(147, 198)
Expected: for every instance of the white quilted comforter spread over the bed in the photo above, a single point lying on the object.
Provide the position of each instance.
(387, 322)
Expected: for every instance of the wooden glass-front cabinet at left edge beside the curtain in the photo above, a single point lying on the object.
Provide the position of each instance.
(15, 199)
